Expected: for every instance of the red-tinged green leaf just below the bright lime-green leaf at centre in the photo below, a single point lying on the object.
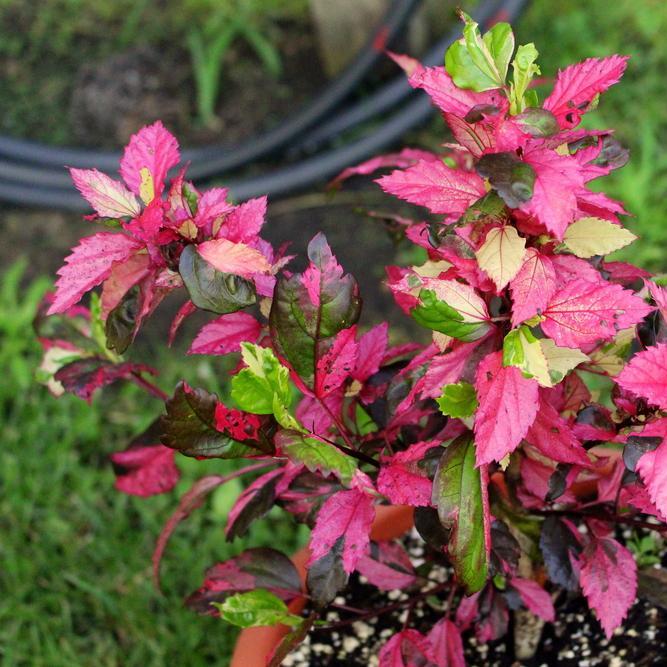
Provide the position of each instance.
(317, 455)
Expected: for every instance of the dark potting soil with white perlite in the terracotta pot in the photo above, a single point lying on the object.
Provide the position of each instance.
(575, 640)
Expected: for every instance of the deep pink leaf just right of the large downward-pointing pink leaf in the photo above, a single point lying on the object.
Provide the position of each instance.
(552, 436)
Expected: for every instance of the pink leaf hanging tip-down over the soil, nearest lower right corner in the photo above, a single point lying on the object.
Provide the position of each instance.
(609, 581)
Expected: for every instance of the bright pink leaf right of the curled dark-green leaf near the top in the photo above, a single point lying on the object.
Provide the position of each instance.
(557, 180)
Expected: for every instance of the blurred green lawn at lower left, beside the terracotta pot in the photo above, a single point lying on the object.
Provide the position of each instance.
(75, 586)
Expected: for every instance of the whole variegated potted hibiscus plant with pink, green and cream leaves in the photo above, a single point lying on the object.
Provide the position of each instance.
(522, 438)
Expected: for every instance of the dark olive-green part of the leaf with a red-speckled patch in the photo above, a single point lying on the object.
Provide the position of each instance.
(189, 426)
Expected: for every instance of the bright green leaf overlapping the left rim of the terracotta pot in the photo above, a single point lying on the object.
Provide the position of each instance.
(256, 608)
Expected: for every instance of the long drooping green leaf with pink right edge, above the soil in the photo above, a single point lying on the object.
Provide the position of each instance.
(457, 494)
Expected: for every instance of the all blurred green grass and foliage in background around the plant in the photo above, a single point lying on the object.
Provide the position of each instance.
(75, 587)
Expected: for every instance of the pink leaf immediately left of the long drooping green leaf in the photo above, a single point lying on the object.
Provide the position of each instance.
(402, 480)
